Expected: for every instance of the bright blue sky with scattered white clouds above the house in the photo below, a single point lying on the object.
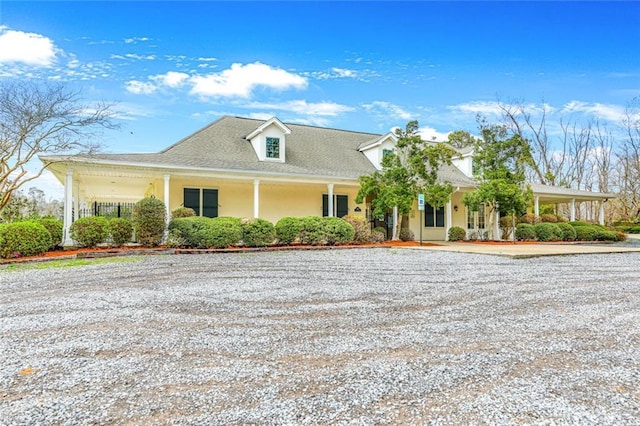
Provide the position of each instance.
(173, 67)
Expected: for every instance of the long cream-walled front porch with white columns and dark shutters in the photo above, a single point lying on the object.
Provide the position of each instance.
(209, 194)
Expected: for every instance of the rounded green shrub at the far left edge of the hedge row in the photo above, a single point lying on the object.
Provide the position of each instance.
(28, 238)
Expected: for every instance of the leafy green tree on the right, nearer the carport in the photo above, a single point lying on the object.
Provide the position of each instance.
(501, 161)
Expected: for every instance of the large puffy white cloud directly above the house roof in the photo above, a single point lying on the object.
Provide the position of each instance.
(240, 80)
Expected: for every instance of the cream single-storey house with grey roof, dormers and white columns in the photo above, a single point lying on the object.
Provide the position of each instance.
(269, 169)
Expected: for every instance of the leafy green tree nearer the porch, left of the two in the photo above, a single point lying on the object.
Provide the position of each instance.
(411, 169)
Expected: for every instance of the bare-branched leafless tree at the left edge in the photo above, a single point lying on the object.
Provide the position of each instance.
(42, 119)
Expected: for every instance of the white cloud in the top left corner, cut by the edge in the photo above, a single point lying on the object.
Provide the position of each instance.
(27, 48)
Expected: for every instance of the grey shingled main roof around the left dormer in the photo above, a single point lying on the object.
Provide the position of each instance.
(313, 151)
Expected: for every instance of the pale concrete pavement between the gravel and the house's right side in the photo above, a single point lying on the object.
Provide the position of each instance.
(523, 251)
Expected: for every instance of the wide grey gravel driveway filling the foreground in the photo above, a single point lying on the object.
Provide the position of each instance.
(361, 336)
